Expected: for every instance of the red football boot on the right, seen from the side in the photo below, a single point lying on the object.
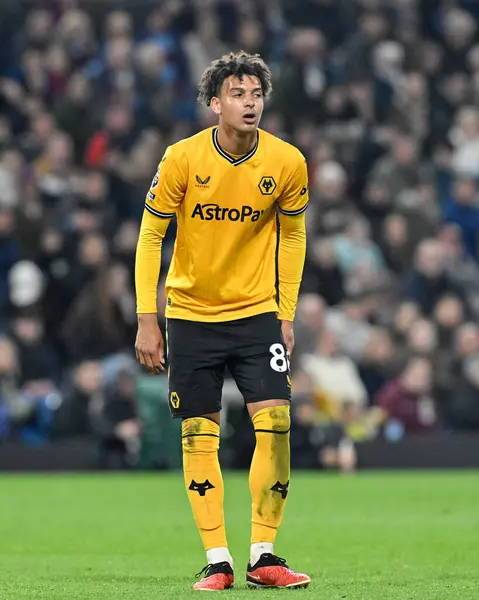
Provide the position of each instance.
(272, 571)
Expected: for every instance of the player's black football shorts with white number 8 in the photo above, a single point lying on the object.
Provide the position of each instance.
(198, 353)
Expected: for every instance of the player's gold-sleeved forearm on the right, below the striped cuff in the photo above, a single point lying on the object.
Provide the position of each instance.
(292, 252)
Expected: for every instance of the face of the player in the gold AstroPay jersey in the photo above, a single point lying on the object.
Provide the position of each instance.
(240, 103)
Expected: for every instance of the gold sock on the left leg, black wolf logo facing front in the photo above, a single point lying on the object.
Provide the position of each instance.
(203, 479)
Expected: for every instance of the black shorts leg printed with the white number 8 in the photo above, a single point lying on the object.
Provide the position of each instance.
(258, 362)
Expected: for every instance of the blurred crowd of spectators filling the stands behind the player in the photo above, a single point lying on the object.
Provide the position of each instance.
(381, 97)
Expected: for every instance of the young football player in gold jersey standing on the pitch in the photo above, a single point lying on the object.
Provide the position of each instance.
(226, 185)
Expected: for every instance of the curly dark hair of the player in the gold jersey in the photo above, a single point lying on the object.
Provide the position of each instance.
(237, 64)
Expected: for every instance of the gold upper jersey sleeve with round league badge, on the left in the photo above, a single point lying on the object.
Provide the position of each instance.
(168, 187)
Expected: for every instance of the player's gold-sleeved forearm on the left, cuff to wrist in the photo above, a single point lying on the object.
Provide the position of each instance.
(147, 266)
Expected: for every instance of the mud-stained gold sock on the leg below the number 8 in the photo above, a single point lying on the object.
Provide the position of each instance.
(269, 473)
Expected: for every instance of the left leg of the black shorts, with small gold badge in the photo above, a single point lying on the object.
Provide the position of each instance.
(196, 360)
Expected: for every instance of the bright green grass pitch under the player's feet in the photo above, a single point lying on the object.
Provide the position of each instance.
(373, 536)
